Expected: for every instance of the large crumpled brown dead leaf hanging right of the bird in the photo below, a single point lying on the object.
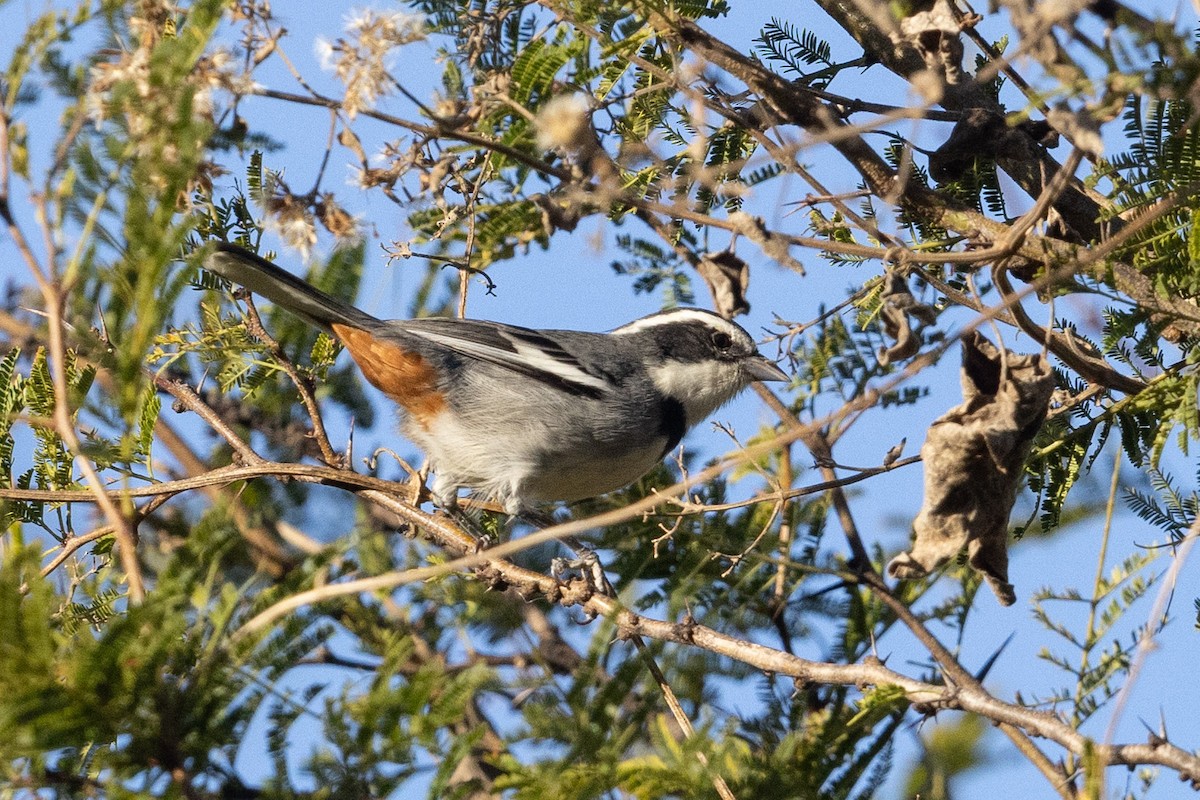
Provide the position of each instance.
(974, 456)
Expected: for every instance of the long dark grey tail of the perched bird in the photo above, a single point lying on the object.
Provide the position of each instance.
(283, 288)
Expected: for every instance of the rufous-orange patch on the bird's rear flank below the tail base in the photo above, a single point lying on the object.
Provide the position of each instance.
(401, 375)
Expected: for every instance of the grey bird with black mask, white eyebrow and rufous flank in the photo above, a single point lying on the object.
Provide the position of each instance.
(526, 417)
